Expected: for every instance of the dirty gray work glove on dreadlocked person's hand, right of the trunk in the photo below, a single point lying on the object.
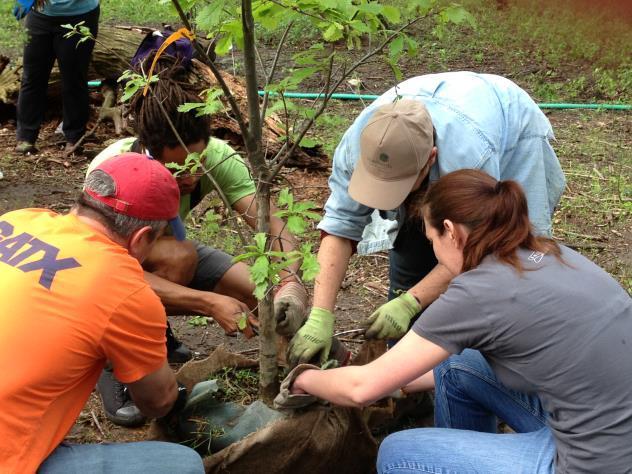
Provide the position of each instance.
(290, 309)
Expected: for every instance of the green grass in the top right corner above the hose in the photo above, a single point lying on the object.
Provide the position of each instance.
(575, 55)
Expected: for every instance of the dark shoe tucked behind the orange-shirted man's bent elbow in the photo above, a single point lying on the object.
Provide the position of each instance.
(118, 405)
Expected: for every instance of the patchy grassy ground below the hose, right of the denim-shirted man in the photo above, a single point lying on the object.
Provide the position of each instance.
(596, 209)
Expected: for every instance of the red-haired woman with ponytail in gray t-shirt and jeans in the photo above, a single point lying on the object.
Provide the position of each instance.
(529, 332)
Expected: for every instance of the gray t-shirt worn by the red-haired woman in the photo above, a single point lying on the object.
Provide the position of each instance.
(560, 330)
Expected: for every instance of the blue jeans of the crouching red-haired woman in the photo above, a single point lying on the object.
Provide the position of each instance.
(469, 401)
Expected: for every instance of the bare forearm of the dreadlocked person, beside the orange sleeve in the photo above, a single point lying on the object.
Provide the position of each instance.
(178, 299)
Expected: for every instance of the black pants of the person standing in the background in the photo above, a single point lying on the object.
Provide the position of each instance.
(46, 43)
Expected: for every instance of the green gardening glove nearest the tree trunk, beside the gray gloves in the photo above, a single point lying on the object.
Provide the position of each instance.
(313, 339)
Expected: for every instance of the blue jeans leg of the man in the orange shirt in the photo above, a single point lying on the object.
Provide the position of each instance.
(145, 456)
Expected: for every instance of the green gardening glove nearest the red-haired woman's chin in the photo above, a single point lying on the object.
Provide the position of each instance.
(391, 320)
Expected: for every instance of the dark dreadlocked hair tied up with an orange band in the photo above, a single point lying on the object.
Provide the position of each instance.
(172, 89)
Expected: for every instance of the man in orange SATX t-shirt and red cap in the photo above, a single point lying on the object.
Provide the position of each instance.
(73, 296)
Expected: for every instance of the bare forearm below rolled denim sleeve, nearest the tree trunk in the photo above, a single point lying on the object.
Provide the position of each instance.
(333, 257)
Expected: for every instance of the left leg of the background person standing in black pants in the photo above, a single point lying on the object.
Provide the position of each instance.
(39, 57)
